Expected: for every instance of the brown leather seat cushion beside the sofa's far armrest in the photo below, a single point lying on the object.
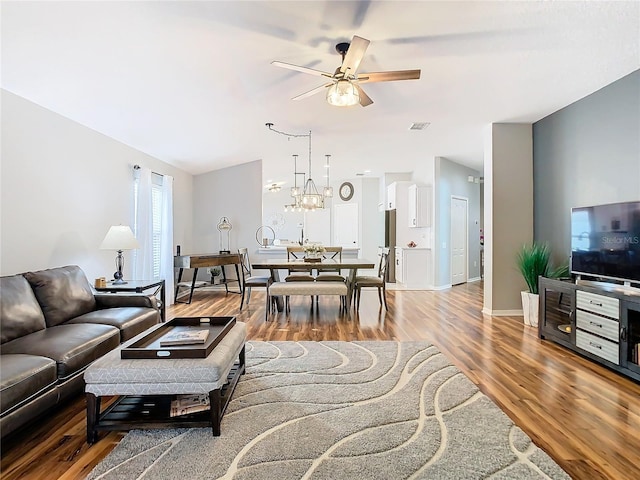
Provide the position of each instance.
(129, 320)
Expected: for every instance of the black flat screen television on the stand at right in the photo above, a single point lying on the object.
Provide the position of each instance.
(605, 241)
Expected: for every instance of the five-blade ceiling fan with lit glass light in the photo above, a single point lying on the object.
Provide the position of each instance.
(344, 88)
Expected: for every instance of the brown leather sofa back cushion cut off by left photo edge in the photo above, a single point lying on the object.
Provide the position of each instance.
(20, 313)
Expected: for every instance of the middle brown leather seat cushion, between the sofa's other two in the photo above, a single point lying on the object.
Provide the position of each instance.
(73, 347)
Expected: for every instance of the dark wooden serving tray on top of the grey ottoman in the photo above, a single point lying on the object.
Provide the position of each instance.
(149, 345)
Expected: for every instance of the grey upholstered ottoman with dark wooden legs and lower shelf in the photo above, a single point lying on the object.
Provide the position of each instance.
(145, 387)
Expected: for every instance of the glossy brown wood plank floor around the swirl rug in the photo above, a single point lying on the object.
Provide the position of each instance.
(583, 415)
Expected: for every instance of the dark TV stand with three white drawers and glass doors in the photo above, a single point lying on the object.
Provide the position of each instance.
(598, 320)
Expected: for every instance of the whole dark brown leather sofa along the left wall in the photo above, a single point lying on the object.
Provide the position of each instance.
(52, 326)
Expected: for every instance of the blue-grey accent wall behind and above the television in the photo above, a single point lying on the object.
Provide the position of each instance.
(587, 153)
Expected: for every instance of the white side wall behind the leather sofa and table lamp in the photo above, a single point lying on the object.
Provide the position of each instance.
(63, 185)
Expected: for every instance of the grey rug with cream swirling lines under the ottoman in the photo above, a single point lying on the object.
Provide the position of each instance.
(342, 410)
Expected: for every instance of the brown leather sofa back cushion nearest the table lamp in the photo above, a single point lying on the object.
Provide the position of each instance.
(63, 293)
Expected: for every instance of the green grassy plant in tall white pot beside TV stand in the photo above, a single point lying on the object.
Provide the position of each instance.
(534, 261)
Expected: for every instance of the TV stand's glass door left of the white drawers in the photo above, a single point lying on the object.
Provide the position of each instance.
(557, 311)
